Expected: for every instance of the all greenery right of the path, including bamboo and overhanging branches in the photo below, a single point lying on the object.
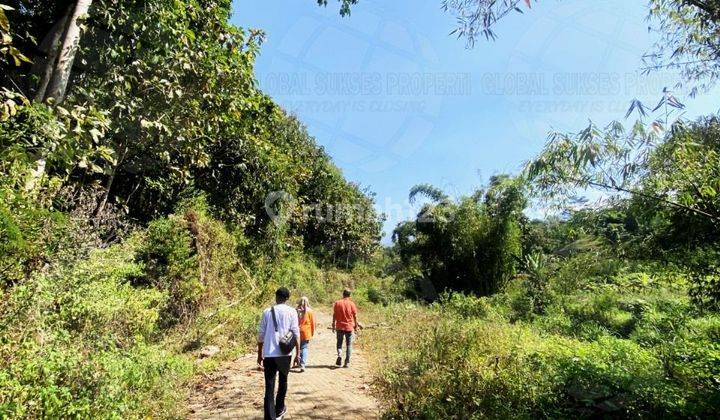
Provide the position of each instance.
(605, 309)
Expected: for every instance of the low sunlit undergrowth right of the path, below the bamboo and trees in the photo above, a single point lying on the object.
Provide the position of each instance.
(624, 343)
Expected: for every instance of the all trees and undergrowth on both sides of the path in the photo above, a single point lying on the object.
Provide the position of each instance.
(152, 198)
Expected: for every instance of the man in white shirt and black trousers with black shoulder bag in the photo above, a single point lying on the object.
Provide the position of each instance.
(270, 357)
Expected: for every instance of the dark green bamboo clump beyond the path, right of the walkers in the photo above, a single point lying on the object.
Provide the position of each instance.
(471, 245)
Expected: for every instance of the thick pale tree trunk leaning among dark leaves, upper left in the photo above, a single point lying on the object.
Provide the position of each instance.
(68, 50)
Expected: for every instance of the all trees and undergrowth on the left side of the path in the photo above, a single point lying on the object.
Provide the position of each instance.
(135, 225)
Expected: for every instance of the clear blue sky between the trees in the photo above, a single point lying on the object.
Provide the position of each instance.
(397, 101)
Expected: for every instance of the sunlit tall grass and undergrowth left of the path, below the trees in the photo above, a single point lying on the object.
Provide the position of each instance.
(115, 333)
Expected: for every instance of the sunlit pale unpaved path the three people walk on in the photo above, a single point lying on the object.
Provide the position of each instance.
(323, 391)
